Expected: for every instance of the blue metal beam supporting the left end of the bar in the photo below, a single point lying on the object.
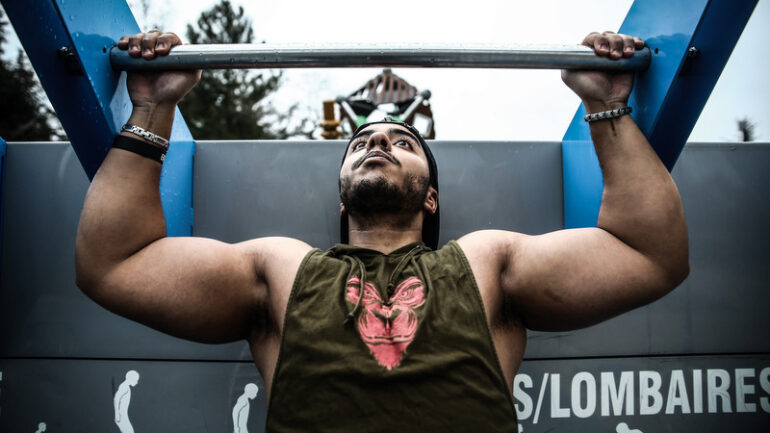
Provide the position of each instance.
(90, 99)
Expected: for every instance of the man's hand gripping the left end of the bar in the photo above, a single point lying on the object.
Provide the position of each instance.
(156, 89)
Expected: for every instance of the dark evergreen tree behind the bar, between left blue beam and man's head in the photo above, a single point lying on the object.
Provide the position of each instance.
(230, 103)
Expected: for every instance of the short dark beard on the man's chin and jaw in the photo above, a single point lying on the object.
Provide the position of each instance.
(369, 200)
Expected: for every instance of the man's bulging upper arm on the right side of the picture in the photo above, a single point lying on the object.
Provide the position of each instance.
(575, 278)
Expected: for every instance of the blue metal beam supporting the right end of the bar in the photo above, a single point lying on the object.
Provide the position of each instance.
(667, 98)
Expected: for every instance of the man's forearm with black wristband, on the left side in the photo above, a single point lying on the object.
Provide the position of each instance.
(122, 212)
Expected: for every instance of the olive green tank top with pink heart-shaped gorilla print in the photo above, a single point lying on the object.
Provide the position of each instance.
(394, 342)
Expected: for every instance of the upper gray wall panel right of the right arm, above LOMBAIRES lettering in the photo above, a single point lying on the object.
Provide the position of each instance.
(726, 193)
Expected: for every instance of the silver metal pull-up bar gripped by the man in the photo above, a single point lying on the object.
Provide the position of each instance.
(247, 56)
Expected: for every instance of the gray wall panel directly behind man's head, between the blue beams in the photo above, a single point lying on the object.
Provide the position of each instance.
(250, 189)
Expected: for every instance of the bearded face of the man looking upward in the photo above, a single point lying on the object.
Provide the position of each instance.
(385, 171)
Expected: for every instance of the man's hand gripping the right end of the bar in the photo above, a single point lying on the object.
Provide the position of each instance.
(604, 90)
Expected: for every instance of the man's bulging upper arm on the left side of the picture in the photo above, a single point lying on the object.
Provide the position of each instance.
(194, 288)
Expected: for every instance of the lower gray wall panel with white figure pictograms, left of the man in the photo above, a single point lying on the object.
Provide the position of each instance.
(77, 396)
